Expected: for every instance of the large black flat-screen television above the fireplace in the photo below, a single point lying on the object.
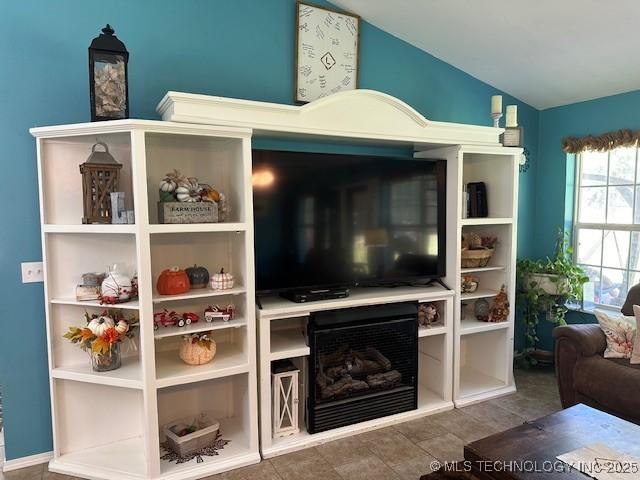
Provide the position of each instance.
(329, 220)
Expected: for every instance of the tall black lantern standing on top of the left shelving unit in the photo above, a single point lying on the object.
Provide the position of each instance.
(108, 83)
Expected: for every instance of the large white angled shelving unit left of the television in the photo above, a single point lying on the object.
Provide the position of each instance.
(109, 425)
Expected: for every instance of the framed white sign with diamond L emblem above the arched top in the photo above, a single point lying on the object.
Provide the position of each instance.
(326, 52)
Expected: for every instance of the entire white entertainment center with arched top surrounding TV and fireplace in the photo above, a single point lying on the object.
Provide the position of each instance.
(461, 361)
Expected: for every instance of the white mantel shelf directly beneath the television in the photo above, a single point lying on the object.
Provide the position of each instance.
(276, 307)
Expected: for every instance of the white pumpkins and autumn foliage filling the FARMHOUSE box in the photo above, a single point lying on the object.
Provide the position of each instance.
(175, 187)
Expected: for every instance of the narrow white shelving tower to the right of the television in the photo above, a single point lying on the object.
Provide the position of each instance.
(483, 351)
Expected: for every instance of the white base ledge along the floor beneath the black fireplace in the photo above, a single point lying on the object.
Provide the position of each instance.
(429, 402)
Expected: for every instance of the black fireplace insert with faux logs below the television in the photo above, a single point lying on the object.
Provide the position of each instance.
(363, 364)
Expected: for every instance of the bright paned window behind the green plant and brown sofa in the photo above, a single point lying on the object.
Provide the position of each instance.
(607, 222)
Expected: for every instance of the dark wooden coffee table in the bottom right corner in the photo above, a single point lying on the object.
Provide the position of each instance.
(537, 443)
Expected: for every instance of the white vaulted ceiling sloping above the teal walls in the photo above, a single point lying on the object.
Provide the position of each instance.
(544, 52)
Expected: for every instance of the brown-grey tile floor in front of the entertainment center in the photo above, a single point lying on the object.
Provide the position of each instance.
(400, 452)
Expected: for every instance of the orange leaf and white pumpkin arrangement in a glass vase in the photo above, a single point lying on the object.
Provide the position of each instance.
(101, 337)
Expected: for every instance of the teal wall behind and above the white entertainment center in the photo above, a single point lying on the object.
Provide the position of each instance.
(239, 48)
